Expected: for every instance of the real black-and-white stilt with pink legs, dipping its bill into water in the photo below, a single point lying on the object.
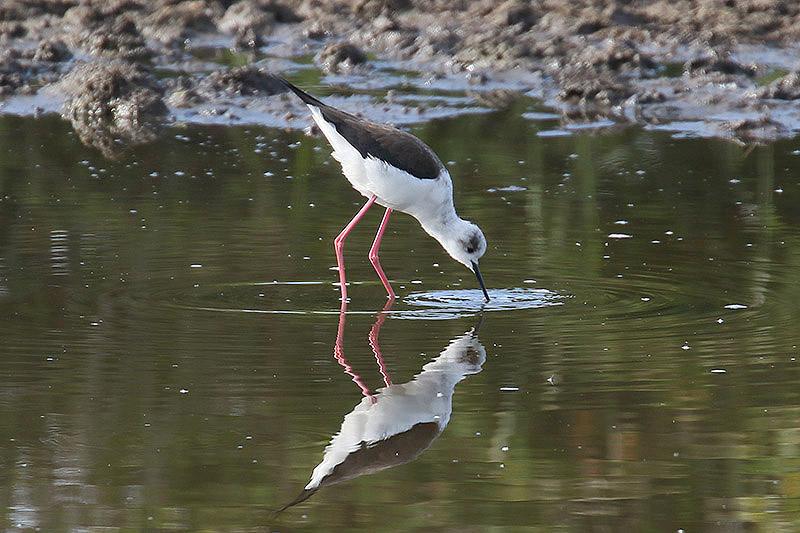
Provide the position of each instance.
(398, 171)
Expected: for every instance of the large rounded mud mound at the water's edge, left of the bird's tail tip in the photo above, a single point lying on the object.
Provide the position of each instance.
(112, 104)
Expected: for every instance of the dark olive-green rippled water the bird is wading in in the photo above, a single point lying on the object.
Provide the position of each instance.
(169, 322)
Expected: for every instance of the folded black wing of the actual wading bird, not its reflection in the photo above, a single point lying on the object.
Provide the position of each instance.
(397, 147)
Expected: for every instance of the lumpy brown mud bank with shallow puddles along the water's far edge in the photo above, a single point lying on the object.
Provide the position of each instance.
(727, 69)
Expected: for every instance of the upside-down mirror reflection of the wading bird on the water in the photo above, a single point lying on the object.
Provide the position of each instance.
(396, 423)
